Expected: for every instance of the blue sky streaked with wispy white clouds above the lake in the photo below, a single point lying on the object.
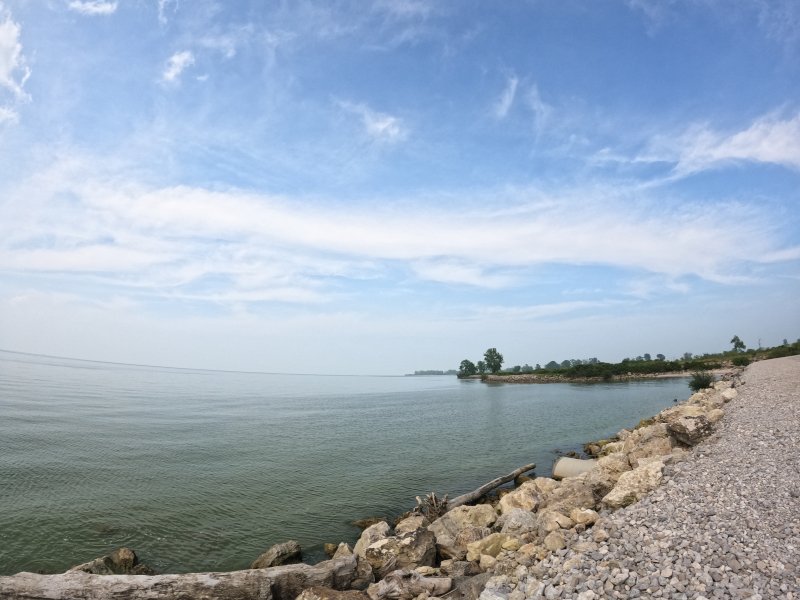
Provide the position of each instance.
(380, 187)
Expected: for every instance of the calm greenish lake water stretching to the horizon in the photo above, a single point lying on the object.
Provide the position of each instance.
(203, 470)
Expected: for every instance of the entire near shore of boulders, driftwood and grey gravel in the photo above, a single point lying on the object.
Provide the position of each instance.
(699, 502)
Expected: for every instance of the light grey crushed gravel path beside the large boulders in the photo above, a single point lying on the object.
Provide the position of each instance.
(724, 524)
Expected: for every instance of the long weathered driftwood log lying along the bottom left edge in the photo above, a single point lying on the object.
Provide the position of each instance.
(277, 583)
